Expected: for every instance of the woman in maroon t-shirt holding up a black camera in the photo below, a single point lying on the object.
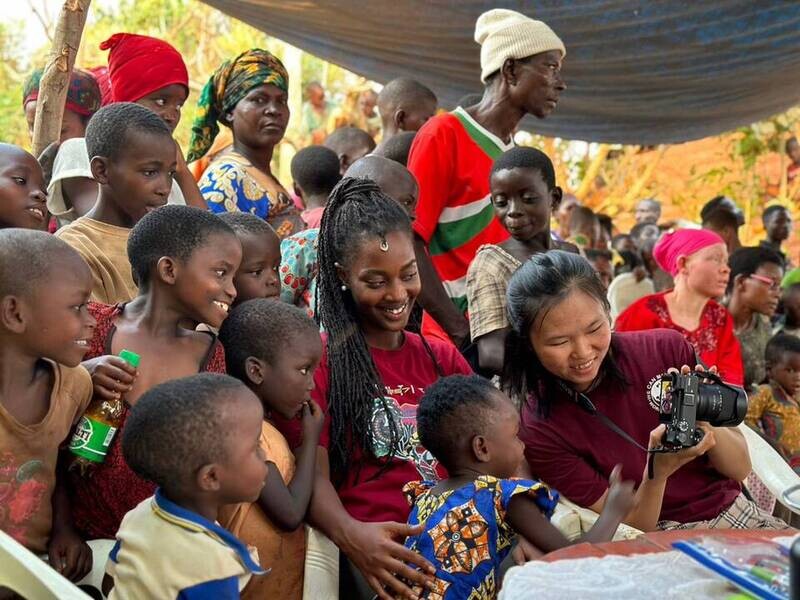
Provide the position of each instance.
(560, 353)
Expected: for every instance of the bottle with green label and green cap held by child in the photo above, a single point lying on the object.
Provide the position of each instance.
(97, 427)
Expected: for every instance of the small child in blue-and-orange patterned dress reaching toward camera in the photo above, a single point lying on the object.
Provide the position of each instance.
(471, 428)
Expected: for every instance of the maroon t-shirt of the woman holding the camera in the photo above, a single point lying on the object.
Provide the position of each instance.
(574, 452)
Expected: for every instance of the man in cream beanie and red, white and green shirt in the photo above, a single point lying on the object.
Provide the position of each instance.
(452, 156)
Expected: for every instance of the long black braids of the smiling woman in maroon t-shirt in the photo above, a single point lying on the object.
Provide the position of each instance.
(356, 210)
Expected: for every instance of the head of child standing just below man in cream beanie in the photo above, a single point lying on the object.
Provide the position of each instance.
(524, 192)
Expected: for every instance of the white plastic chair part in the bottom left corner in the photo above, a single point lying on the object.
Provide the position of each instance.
(30, 577)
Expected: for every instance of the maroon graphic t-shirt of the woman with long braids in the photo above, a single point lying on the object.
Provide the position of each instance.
(405, 374)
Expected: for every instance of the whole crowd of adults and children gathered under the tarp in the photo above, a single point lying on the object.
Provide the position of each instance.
(397, 349)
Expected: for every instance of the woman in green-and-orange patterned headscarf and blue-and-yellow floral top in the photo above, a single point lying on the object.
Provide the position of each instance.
(249, 95)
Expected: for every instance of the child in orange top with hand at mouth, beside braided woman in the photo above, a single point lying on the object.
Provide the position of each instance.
(274, 349)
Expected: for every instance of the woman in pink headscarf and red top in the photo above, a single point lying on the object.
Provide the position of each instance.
(698, 261)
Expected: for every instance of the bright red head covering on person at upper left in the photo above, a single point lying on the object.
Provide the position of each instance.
(139, 65)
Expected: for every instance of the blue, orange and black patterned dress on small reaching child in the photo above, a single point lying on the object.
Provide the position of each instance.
(466, 535)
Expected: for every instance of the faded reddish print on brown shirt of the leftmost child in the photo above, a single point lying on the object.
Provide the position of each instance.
(21, 496)
